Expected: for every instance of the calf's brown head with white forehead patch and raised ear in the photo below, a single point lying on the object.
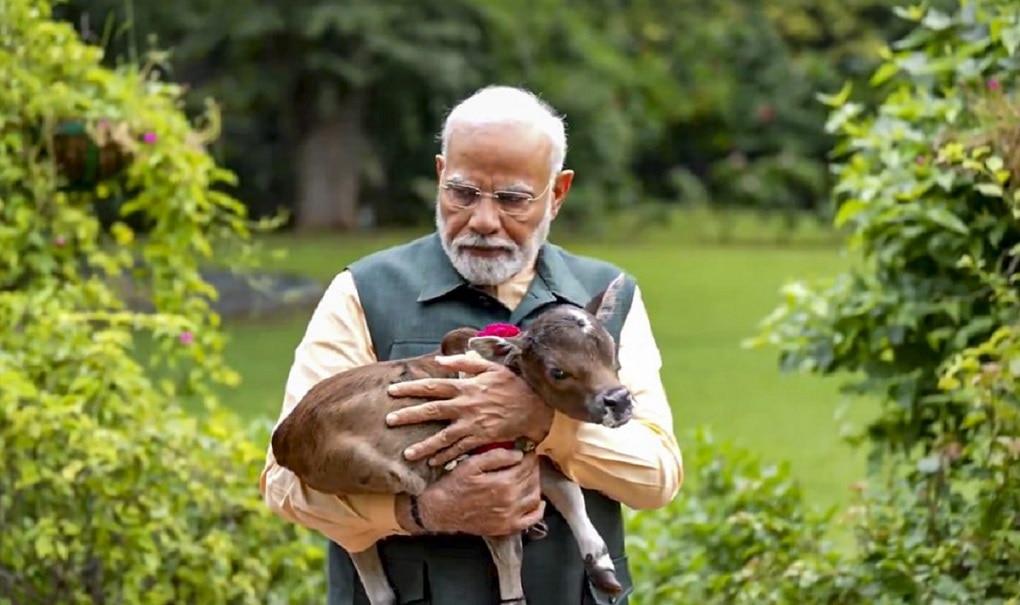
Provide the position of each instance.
(569, 359)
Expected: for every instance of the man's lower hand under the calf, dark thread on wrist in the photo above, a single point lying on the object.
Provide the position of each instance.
(492, 494)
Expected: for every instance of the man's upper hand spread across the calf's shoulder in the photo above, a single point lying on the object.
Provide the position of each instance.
(493, 407)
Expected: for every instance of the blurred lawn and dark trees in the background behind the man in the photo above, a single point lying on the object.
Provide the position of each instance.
(695, 129)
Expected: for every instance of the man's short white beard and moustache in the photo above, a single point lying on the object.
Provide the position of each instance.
(483, 271)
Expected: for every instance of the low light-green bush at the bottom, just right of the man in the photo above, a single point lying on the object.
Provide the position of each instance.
(740, 533)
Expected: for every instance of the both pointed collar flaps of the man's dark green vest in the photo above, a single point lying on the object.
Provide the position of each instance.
(551, 272)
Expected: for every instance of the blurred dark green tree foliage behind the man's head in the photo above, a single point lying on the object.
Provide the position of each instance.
(682, 102)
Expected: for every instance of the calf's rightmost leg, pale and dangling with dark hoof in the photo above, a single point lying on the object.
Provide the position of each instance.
(570, 500)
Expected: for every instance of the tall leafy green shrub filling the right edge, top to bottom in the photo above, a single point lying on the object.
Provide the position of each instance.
(926, 322)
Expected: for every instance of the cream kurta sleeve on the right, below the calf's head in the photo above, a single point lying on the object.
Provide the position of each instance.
(639, 465)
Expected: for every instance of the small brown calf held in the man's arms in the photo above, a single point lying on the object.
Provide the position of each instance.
(337, 440)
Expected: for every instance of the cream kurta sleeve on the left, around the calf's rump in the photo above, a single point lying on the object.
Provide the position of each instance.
(337, 339)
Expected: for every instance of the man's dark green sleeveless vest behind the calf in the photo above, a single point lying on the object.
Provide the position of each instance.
(413, 296)
